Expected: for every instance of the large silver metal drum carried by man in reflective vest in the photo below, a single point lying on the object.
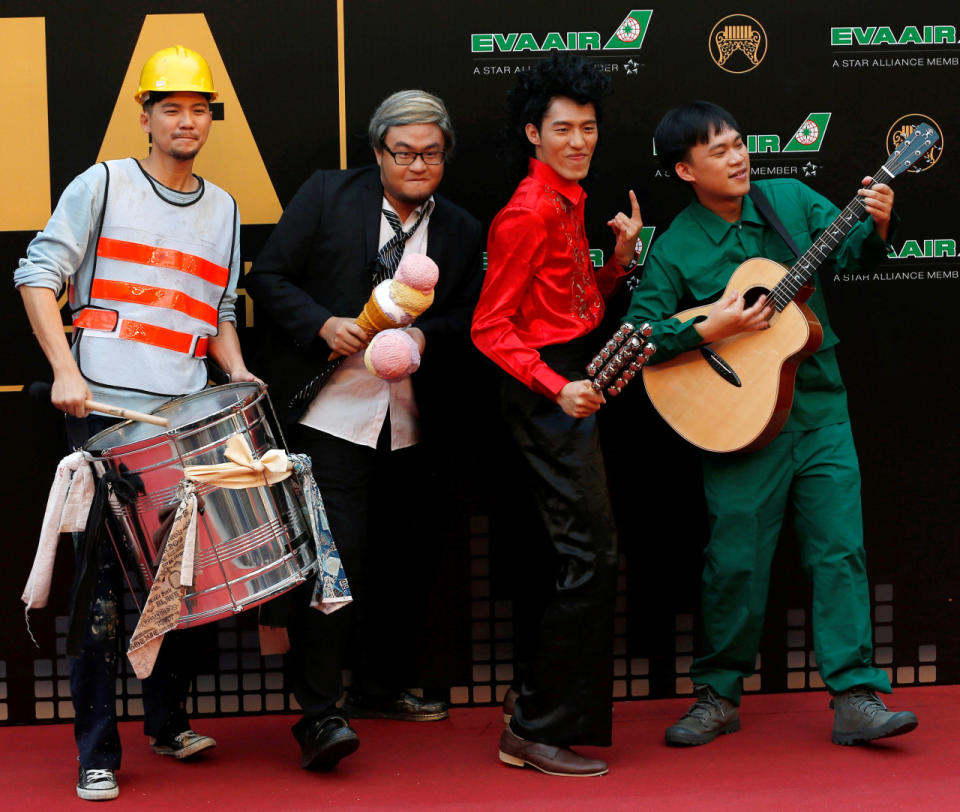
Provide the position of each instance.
(253, 544)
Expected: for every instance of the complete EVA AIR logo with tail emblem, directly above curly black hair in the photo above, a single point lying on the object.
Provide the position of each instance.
(629, 35)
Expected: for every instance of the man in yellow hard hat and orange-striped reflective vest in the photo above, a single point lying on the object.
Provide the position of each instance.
(150, 255)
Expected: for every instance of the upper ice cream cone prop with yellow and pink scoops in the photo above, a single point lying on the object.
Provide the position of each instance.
(397, 302)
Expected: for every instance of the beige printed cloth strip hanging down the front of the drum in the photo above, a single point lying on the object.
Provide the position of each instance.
(161, 612)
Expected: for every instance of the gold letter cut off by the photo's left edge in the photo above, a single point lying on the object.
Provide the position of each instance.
(24, 145)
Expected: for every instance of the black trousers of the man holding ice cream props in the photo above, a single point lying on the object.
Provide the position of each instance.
(358, 484)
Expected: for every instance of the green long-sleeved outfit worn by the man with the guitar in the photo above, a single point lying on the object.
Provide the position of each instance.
(812, 463)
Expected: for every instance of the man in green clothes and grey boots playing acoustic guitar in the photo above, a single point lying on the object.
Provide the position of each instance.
(812, 463)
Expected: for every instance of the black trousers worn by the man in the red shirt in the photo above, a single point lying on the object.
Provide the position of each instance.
(567, 693)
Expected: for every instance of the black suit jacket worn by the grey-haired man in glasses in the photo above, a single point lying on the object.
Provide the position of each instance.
(319, 262)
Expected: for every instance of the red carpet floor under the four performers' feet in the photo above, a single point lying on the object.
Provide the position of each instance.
(782, 760)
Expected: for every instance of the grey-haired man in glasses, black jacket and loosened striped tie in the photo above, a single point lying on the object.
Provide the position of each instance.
(343, 232)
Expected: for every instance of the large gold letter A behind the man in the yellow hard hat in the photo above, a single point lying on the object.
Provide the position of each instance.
(230, 158)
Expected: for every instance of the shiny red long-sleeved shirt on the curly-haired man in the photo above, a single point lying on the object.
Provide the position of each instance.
(540, 288)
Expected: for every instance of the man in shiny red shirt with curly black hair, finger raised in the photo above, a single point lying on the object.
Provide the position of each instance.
(541, 301)
